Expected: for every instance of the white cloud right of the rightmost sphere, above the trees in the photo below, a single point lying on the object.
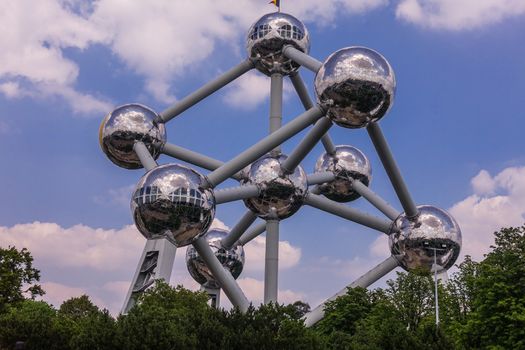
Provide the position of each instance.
(498, 202)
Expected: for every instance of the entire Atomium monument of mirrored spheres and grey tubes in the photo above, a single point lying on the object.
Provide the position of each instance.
(173, 205)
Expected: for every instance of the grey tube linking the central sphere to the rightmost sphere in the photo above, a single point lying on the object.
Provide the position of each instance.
(348, 213)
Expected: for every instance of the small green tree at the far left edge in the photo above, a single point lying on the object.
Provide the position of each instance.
(18, 277)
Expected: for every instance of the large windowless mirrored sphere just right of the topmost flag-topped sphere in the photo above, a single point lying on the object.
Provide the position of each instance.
(356, 86)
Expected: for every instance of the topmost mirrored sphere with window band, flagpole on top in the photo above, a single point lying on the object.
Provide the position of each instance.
(269, 35)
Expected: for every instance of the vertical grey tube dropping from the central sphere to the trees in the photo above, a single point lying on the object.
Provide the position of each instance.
(271, 261)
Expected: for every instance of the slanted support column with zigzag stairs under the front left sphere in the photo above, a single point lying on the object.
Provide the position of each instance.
(156, 262)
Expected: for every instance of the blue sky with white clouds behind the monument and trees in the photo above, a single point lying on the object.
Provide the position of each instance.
(455, 128)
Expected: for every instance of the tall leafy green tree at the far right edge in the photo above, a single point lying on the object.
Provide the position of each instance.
(497, 316)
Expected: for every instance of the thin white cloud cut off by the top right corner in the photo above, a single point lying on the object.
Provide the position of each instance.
(458, 15)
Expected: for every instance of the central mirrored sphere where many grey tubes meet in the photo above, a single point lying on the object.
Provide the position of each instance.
(281, 193)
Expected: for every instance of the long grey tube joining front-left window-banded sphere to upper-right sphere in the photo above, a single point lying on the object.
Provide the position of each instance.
(265, 145)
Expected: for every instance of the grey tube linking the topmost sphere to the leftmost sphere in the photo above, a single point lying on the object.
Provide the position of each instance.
(206, 90)
